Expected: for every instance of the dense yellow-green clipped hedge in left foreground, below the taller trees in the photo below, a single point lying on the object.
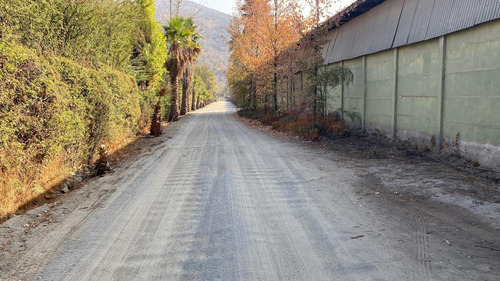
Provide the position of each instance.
(53, 115)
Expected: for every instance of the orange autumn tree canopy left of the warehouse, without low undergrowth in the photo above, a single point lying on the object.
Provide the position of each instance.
(269, 47)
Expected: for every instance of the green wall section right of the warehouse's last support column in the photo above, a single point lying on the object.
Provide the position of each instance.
(472, 85)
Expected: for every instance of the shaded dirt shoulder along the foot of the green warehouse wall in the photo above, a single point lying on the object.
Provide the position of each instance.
(407, 174)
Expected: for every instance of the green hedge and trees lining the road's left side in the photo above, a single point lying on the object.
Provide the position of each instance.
(77, 75)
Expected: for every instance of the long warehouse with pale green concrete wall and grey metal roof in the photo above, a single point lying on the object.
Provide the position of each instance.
(427, 71)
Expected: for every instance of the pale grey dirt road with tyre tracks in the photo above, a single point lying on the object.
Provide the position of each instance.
(222, 201)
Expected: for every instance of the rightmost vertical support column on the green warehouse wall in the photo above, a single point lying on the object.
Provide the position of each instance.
(440, 109)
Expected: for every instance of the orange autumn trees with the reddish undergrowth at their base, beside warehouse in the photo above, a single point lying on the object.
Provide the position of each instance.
(271, 42)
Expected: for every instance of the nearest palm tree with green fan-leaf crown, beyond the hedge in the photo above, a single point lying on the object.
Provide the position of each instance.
(182, 40)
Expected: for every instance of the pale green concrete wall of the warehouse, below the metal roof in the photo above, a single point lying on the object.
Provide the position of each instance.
(432, 92)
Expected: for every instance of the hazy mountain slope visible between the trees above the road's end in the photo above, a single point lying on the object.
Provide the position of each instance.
(212, 26)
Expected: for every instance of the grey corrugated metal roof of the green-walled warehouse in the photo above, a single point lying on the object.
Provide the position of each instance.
(396, 23)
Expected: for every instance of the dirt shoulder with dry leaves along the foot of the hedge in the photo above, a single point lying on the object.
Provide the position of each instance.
(29, 240)
